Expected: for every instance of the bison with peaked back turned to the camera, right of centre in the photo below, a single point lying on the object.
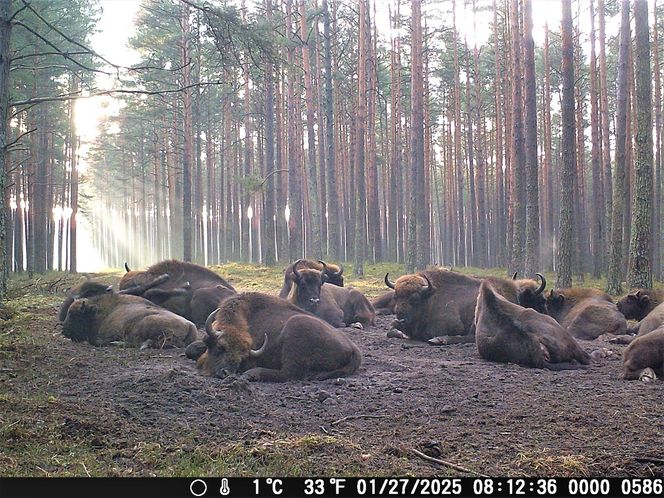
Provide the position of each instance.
(508, 333)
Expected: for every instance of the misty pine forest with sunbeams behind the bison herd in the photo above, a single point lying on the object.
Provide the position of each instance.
(277, 129)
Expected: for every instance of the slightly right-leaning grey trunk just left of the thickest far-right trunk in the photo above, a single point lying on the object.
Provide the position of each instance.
(615, 271)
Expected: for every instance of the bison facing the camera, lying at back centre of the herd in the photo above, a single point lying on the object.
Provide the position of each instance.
(339, 306)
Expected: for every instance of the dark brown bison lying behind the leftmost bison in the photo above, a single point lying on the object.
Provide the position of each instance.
(181, 293)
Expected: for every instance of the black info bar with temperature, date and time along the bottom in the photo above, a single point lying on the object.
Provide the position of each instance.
(325, 487)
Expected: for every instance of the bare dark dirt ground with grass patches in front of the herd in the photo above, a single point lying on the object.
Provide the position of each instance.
(114, 411)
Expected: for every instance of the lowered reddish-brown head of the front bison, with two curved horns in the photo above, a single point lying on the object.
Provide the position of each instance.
(227, 348)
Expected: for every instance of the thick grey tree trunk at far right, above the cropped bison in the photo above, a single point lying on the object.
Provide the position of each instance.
(640, 271)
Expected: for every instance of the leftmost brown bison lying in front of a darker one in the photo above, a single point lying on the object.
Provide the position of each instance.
(113, 317)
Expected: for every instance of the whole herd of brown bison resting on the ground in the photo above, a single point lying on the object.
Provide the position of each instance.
(294, 336)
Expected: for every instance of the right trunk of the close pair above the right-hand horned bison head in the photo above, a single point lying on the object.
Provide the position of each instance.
(530, 121)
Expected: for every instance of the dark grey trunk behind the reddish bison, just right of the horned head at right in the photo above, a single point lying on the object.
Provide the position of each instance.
(568, 167)
